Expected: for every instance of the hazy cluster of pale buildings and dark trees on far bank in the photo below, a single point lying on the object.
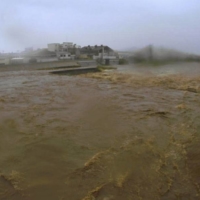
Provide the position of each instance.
(57, 52)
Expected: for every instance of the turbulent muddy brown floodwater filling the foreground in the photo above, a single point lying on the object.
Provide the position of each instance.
(133, 133)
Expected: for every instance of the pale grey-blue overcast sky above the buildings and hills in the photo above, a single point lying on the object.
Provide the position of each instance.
(121, 24)
